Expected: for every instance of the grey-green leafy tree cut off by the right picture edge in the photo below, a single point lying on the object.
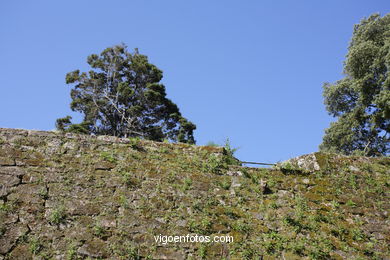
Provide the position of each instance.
(361, 100)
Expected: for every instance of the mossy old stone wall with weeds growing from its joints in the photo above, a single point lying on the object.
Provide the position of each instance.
(66, 196)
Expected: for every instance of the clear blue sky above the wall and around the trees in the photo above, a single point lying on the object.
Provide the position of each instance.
(251, 71)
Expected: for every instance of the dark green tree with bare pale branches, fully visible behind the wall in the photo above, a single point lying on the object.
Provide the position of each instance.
(122, 96)
